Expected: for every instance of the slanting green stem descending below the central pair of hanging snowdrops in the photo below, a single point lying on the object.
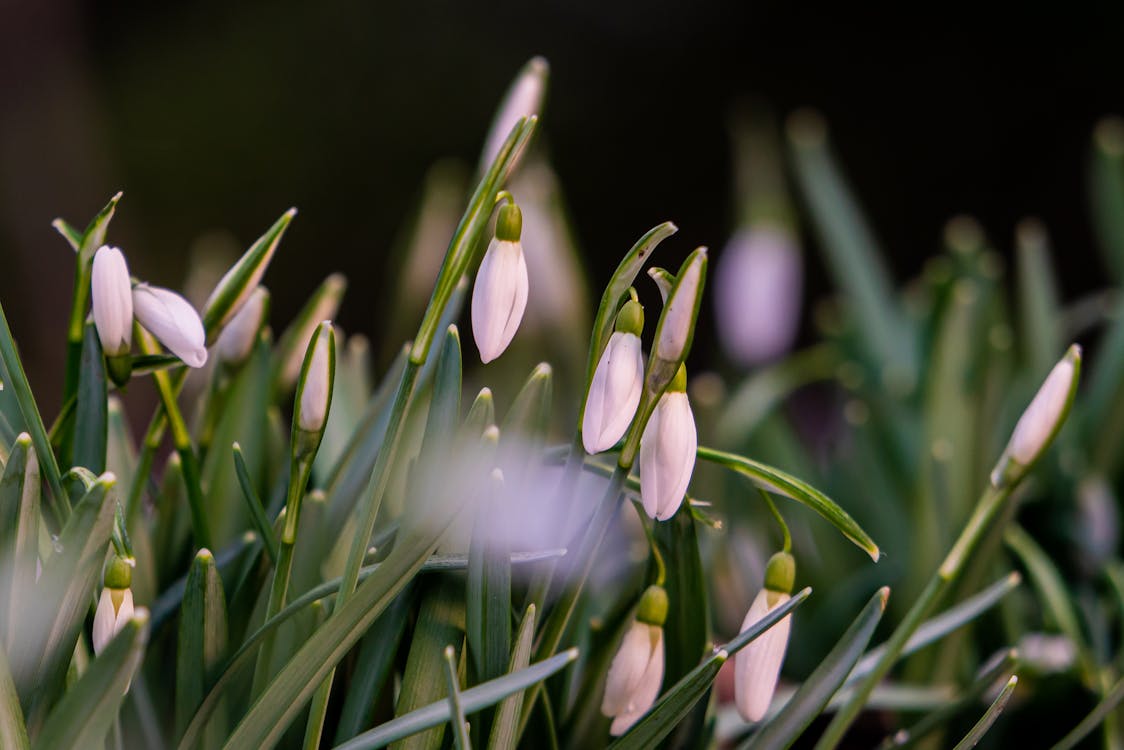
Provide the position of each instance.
(568, 603)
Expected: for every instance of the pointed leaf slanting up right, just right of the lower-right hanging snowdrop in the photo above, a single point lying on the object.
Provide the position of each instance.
(784, 729)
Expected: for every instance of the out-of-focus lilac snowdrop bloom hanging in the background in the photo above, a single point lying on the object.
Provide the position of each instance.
(758, 295)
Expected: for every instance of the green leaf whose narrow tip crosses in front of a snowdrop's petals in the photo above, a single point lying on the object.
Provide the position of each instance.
(678, 702)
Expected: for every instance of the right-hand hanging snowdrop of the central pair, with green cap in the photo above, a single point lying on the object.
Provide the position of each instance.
(667, 451)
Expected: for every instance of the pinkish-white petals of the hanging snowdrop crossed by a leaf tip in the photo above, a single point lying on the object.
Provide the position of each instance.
(757, 667)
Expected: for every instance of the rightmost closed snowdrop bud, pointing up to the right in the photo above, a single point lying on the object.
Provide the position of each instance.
(1043, 419)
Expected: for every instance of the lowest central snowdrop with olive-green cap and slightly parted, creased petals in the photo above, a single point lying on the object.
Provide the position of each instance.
(637, 672)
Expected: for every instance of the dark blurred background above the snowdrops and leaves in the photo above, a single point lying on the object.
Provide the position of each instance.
(212, 115)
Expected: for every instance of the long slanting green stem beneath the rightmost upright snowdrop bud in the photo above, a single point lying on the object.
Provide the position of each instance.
(993, 501)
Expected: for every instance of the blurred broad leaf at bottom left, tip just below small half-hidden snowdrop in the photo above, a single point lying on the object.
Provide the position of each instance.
(84, 717)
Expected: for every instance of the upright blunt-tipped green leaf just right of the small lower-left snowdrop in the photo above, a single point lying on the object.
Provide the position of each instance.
(203, 644)
